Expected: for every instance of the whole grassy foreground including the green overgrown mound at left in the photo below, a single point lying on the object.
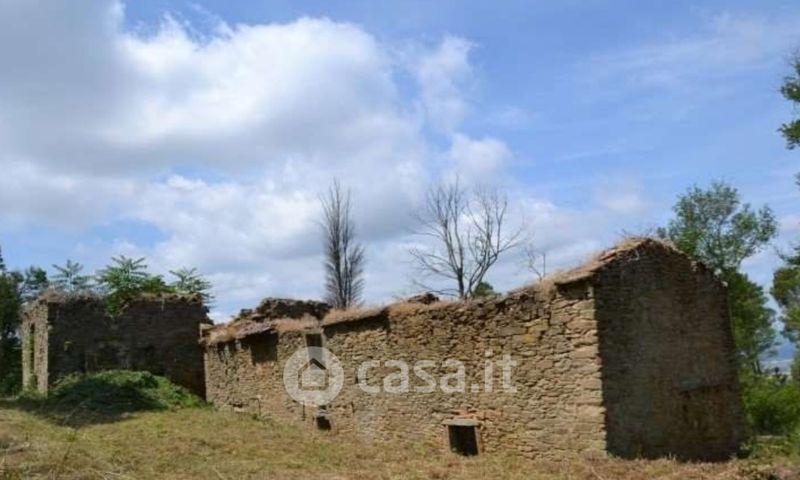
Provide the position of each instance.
(140, 426)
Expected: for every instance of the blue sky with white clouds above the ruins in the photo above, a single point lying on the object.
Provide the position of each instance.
(201, 134)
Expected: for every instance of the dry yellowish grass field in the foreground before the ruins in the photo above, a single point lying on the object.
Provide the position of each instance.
(204, 444)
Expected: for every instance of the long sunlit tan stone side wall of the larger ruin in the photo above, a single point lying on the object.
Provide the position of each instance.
(557, 406)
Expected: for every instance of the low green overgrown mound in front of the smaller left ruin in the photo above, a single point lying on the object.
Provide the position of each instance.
(119, 391)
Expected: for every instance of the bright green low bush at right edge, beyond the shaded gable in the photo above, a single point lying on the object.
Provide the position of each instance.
(772, 405)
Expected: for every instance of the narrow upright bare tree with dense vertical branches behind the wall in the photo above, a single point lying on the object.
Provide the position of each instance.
(344, 258)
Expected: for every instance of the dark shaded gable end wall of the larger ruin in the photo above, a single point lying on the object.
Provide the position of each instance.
(669, 370)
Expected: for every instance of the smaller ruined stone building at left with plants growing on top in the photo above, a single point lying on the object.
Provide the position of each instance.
(64, 334)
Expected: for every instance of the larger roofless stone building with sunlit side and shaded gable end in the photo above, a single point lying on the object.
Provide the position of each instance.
(630, 354)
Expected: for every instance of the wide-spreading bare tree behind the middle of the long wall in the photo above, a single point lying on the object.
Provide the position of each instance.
(468, 236)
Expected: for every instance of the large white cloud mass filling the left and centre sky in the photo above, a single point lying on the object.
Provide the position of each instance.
(222, 142)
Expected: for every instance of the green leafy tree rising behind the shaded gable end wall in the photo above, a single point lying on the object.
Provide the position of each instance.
(713, 226)
